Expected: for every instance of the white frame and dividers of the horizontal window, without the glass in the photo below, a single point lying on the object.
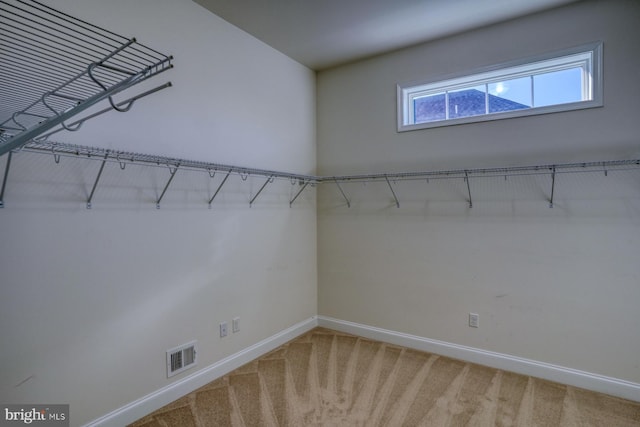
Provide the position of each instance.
(589, 57)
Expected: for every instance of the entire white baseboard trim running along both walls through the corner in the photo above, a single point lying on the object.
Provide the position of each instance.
(156, 400)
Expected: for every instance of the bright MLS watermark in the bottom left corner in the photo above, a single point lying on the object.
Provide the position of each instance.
(36, 415)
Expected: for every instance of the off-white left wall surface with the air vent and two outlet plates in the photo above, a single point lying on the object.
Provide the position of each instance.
(91, 299)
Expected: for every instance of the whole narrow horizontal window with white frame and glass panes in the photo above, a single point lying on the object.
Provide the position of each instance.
(567, 81)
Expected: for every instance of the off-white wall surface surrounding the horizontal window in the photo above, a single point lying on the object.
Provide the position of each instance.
(555, 285)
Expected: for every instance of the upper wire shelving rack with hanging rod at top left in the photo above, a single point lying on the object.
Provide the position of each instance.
(54, 66)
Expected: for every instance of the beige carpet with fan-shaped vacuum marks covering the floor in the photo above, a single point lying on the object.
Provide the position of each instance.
(327, 378)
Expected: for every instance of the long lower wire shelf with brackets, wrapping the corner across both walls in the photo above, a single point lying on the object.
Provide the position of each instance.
(123, 158)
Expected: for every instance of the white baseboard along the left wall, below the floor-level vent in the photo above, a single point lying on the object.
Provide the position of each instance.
(159, 398)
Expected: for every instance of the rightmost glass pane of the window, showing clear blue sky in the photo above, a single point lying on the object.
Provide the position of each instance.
(558, 87)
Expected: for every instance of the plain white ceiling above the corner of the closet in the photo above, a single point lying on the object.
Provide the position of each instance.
(324, 33)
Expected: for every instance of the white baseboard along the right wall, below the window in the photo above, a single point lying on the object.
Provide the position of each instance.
(573, 377)
